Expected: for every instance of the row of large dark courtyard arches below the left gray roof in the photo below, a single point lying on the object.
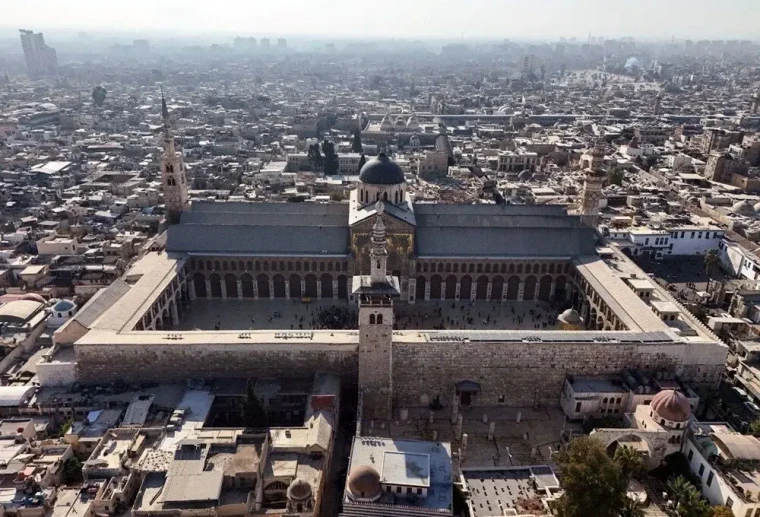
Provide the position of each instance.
(280, 286)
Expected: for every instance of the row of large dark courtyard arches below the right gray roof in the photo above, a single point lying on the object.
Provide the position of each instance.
(437, 288)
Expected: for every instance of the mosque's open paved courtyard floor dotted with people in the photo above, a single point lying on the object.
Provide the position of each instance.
(236, 314)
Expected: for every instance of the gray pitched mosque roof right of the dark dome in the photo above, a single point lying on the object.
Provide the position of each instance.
(500, 231)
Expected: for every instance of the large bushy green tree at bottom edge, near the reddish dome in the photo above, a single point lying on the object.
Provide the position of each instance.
(594, 484)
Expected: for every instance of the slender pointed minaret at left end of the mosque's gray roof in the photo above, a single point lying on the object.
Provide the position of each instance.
(173, 174)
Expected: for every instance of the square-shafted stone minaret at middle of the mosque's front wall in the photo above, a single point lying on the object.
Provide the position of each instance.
(375, 294)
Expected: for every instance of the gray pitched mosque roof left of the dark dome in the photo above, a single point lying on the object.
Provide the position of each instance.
(262, 229)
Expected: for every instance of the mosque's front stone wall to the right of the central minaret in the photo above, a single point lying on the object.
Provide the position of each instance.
(526, 373)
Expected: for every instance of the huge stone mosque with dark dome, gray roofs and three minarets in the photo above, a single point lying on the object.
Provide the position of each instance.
(379, 251)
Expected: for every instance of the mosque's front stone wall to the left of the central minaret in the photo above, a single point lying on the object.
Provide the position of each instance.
(177, 362)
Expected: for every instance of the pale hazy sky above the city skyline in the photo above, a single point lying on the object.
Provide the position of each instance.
(517, 19)
